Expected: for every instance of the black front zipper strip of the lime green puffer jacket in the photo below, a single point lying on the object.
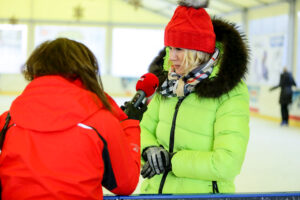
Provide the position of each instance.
(171, 143)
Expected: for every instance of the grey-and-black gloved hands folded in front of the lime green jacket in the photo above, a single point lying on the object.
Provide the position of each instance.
(158, 158)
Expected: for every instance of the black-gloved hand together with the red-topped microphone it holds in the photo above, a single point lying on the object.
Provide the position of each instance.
(145, 87)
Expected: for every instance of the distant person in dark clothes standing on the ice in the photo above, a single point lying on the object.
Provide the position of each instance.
(286, 93)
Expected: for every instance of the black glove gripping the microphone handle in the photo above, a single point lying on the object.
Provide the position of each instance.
(133, 112)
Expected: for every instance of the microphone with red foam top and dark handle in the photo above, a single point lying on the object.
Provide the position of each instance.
(145, 87)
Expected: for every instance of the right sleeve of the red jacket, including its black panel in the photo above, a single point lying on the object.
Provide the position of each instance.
(122, 157)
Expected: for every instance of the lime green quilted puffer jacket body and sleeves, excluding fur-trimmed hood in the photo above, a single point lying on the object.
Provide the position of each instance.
(211, 137)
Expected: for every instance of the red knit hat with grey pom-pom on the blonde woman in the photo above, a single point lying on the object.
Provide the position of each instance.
(191, 27)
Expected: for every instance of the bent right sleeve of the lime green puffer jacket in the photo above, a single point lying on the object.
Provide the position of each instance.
(231, 134)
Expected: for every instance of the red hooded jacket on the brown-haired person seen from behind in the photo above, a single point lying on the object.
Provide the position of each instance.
(63, 144)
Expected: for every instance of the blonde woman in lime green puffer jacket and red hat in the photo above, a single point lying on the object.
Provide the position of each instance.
(195, 132)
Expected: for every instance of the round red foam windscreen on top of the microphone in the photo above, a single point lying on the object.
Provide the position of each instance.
(147, 83)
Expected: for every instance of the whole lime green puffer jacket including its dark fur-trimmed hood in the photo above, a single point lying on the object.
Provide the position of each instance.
(212, 126)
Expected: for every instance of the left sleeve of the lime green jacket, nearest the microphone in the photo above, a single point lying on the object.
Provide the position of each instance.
(149, 124)
